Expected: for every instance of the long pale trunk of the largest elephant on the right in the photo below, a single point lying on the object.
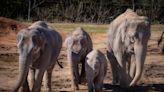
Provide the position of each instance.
(140, 50)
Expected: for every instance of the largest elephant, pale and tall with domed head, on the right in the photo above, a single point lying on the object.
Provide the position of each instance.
(127, 45)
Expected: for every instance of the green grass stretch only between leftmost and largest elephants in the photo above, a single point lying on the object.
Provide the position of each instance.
(87, 26)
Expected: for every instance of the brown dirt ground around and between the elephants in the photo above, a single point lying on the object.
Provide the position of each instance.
(151, 81)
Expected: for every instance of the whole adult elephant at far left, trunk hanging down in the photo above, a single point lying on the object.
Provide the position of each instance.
(39, 47)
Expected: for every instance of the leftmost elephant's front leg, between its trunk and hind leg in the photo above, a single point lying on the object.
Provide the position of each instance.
(38, 76)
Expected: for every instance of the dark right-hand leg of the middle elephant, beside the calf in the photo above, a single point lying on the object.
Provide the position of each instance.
(83, 73)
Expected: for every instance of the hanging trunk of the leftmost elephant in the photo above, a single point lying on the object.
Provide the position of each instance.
(23, 72)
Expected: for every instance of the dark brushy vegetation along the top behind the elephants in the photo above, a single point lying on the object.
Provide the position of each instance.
(92, 11)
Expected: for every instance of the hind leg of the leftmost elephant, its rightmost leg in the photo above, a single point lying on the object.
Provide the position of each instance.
(47, 79)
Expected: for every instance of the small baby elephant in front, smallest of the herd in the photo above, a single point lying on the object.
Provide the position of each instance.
(96, 68)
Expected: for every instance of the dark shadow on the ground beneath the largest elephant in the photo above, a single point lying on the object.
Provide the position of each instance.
(141, 88)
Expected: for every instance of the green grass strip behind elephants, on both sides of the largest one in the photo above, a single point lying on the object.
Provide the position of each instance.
(91, 27)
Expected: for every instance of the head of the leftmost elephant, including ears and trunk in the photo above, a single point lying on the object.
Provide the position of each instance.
(30, 43)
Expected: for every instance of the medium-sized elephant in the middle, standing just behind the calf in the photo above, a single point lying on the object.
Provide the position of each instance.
(78, 45)
